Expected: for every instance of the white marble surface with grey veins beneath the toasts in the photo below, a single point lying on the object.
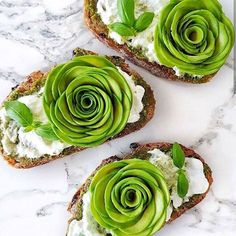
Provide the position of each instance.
(37, 34)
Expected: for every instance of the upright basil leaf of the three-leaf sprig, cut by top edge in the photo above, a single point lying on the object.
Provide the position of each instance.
(126, 11)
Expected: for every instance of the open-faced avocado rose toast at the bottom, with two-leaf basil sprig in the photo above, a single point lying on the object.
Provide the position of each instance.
(138, 194)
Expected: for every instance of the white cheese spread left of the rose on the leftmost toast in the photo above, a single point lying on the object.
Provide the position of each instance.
(27, 144)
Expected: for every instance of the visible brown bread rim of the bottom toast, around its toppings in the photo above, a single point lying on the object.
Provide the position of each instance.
(140, 151)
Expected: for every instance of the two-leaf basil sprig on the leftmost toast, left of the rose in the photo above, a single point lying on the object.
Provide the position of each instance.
(23, 116)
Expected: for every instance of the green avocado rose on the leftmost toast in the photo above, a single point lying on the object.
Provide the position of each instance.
(87, 100)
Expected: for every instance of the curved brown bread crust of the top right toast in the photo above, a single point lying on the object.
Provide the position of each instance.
(100, 30)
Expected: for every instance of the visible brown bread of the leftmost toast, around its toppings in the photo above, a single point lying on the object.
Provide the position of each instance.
(37, 79)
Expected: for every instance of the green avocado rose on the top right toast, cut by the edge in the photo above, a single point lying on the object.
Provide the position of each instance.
(193, 35)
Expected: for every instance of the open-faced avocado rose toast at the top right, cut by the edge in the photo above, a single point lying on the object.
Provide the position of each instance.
(187, 40)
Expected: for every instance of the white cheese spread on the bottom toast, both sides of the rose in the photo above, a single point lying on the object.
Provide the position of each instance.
(197, 184)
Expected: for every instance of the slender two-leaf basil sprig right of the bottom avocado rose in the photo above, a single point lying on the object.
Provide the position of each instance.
(179, 160)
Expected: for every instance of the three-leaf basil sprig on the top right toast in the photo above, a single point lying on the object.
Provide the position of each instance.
(129, 26)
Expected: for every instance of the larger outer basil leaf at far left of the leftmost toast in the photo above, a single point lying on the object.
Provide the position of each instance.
(19, 112)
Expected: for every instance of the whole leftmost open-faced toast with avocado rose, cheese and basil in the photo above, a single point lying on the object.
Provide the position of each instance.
(79, 104)
